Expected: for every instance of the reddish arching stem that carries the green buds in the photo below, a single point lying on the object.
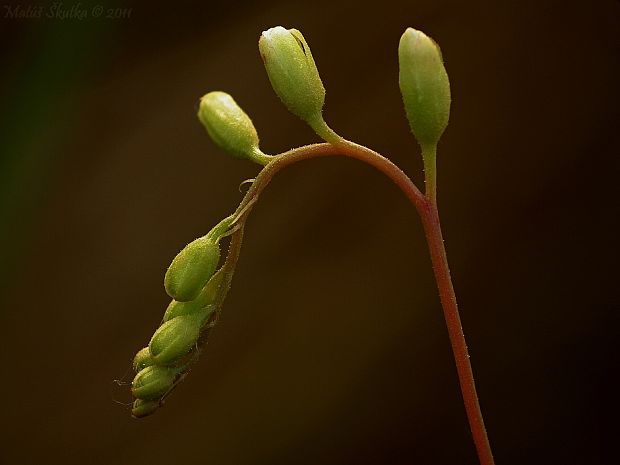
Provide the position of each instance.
(426, 206)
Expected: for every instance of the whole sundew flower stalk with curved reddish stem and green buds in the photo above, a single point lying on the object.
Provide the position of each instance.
(198, 278)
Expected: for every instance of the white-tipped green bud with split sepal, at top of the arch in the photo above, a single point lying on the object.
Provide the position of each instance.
(292, 72)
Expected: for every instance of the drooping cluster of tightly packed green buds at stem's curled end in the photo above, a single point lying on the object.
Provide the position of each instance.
(197, 291)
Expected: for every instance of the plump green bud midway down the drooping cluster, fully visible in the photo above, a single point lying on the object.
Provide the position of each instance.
(174, 339)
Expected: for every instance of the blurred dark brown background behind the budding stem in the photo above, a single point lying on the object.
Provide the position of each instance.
(332, 347)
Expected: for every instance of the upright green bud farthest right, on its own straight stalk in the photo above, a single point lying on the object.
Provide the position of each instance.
(424, 86)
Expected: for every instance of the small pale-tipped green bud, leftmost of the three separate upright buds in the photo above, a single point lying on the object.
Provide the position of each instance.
(230, 127)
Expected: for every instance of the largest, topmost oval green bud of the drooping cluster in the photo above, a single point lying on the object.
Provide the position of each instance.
(192, 268)
